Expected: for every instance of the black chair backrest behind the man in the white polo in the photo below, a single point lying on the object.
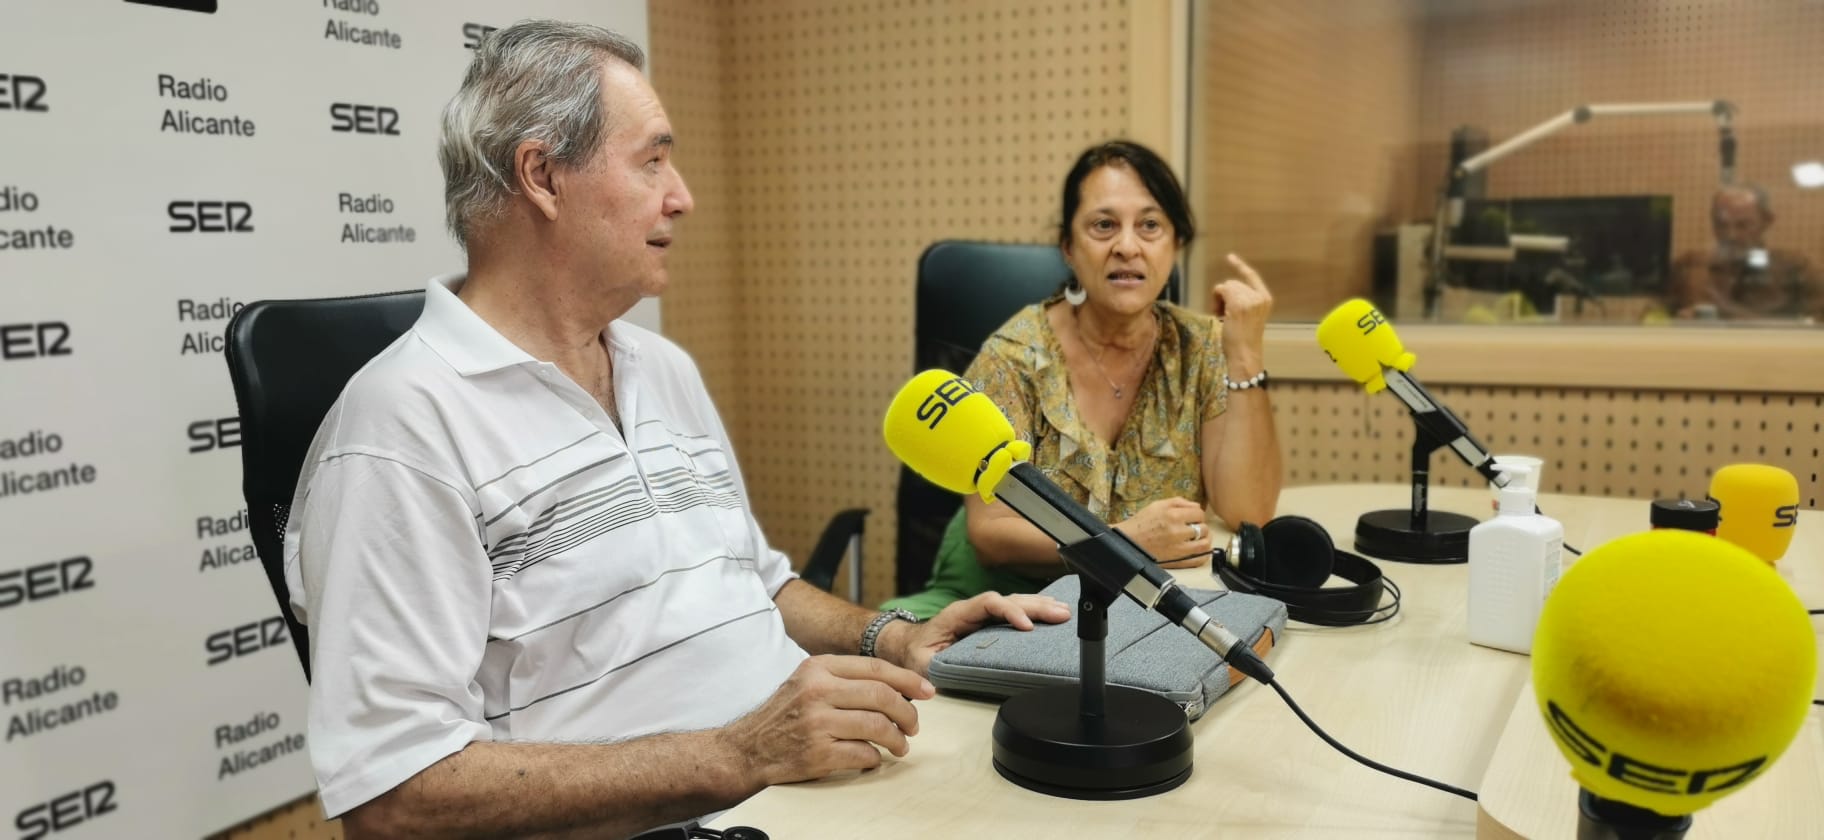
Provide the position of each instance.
(289, 362)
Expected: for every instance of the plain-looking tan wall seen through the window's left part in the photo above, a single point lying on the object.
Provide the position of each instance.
(1305, 116)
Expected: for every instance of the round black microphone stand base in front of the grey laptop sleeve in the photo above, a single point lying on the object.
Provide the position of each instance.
(1139, 748)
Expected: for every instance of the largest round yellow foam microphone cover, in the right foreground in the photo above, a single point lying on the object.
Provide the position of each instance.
(1672, 670)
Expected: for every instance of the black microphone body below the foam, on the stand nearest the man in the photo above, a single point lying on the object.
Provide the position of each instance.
(1117, 564)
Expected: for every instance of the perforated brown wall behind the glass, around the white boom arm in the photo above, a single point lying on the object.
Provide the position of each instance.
(1508, 67)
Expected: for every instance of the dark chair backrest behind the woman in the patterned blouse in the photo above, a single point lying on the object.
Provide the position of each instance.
(966, 291)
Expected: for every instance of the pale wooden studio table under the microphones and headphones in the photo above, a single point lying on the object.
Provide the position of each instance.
(1411, 693)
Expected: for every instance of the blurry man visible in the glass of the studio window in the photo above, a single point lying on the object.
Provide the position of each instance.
(1741, 278)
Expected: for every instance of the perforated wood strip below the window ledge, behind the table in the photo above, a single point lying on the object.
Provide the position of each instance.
(1626, 444)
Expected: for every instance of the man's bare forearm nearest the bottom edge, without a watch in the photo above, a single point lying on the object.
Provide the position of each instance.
(561, 790)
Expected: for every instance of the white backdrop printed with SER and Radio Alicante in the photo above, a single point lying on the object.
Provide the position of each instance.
(143, 688)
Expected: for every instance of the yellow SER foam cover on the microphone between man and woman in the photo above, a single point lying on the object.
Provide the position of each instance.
(953, 435)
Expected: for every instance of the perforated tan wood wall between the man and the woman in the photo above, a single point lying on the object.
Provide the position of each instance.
(845, 138)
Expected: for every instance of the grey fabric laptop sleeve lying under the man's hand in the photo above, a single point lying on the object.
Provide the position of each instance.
(1145, 650)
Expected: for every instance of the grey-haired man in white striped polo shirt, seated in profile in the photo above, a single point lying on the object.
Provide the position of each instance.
(537, 597)
